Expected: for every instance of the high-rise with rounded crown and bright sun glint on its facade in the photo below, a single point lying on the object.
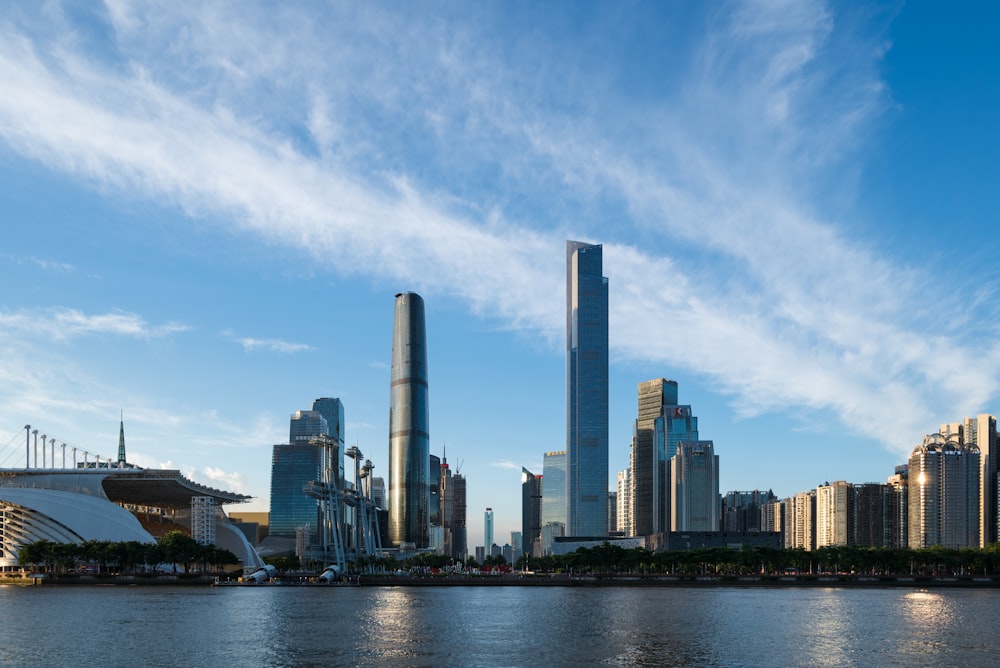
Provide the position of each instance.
(944, 493)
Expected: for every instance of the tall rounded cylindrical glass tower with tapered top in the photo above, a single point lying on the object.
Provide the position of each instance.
(409, 420)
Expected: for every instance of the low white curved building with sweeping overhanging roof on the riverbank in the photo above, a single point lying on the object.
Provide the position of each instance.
(77, 505)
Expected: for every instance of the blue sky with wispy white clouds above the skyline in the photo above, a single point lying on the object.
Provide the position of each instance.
(206, 212)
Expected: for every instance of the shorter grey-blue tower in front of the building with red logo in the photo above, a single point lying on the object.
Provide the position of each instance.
(694, 487)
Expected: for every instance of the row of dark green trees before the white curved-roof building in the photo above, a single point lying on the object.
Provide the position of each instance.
(175, 548)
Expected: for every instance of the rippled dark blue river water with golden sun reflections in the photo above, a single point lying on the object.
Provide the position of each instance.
(497, 626)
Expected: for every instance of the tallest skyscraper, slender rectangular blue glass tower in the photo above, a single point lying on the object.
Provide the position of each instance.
(586, 390)
